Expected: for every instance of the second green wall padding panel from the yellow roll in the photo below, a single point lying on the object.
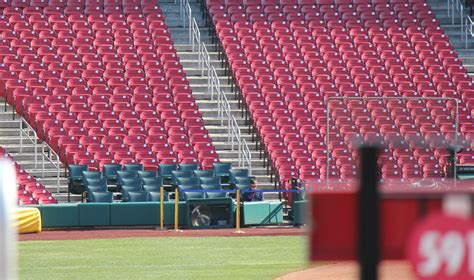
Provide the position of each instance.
(94, 214)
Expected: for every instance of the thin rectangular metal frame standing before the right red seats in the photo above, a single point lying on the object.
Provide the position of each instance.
(328, 120)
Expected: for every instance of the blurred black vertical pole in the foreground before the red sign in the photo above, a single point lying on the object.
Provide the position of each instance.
(368, 200)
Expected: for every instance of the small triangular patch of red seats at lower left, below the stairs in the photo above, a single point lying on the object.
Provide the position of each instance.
(29, 191)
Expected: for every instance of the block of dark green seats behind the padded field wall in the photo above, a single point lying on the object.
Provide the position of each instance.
(137, 185)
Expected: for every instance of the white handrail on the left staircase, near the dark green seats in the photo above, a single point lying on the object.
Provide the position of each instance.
(46, 152)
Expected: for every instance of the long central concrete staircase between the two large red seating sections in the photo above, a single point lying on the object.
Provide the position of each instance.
(199, 85)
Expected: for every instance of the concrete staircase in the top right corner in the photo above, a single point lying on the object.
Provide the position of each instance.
(454, 33)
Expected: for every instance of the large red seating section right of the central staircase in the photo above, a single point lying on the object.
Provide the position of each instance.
(288, 57)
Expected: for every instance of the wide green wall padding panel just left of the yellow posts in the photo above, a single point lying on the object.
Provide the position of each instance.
(134, 213)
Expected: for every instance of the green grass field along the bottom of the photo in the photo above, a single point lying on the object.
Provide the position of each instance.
(163, 258)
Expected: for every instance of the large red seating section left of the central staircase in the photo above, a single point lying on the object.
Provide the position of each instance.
(101, 83)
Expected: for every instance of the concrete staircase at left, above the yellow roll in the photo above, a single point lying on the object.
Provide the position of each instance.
(10, 140)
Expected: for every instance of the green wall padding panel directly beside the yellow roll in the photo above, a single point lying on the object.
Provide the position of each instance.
(59, 215)
